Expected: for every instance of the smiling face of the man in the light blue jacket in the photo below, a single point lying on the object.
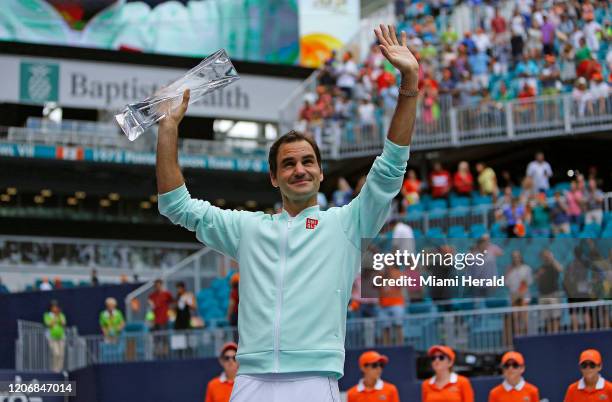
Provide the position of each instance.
(298, 174)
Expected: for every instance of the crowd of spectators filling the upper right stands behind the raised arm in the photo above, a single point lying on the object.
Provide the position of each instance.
(545, 47)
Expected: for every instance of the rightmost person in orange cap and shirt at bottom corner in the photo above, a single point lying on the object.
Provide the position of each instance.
(592, 386)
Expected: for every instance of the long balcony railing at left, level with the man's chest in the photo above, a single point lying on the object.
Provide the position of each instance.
(60, 252)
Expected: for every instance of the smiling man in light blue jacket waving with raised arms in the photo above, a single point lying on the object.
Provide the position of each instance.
(296, 267)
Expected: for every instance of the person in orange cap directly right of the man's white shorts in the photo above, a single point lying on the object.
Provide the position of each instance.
(371, 388)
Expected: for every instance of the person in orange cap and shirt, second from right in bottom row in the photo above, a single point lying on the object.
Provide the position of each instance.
(514, 388)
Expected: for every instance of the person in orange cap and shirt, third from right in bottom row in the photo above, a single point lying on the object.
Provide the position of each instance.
(445, 385)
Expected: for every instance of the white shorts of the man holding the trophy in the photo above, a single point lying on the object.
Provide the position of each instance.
(284, 387)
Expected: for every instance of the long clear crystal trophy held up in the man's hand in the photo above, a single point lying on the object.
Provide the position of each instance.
(214, 72)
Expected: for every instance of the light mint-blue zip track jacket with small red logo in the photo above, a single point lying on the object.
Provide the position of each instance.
(296, 273)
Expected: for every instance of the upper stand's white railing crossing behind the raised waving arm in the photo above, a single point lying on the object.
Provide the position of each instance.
(473, 125)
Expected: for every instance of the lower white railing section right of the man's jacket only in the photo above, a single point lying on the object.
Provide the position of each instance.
(484, 330)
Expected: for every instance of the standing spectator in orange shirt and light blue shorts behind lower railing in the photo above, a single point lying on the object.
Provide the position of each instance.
(391, 312)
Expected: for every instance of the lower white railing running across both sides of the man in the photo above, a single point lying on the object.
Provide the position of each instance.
(486, 330)
